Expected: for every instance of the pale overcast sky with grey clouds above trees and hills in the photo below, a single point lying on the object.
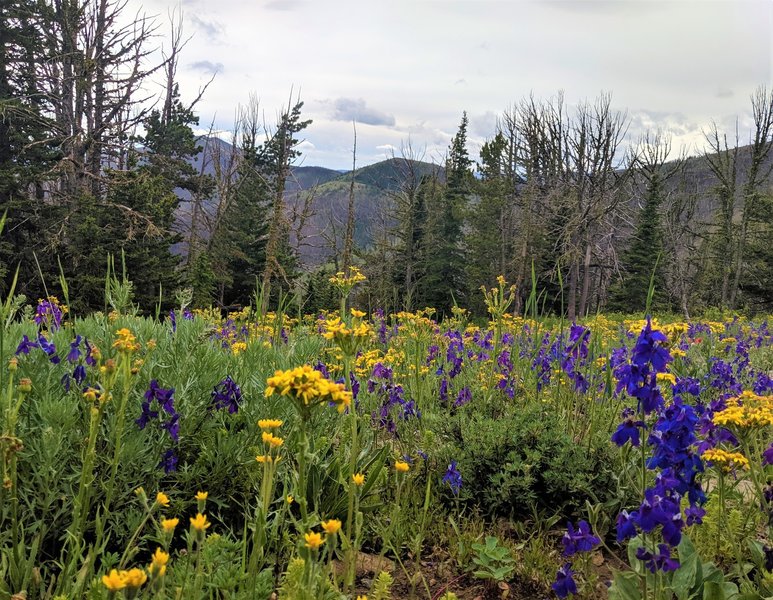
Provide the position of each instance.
(402, 71)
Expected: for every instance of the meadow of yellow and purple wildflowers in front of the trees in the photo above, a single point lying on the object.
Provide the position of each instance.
(356, 454)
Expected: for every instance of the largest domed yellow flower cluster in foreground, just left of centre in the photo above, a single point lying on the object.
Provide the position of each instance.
(309, 387)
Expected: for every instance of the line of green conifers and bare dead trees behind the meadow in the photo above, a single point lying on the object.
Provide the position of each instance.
(94, 163)
